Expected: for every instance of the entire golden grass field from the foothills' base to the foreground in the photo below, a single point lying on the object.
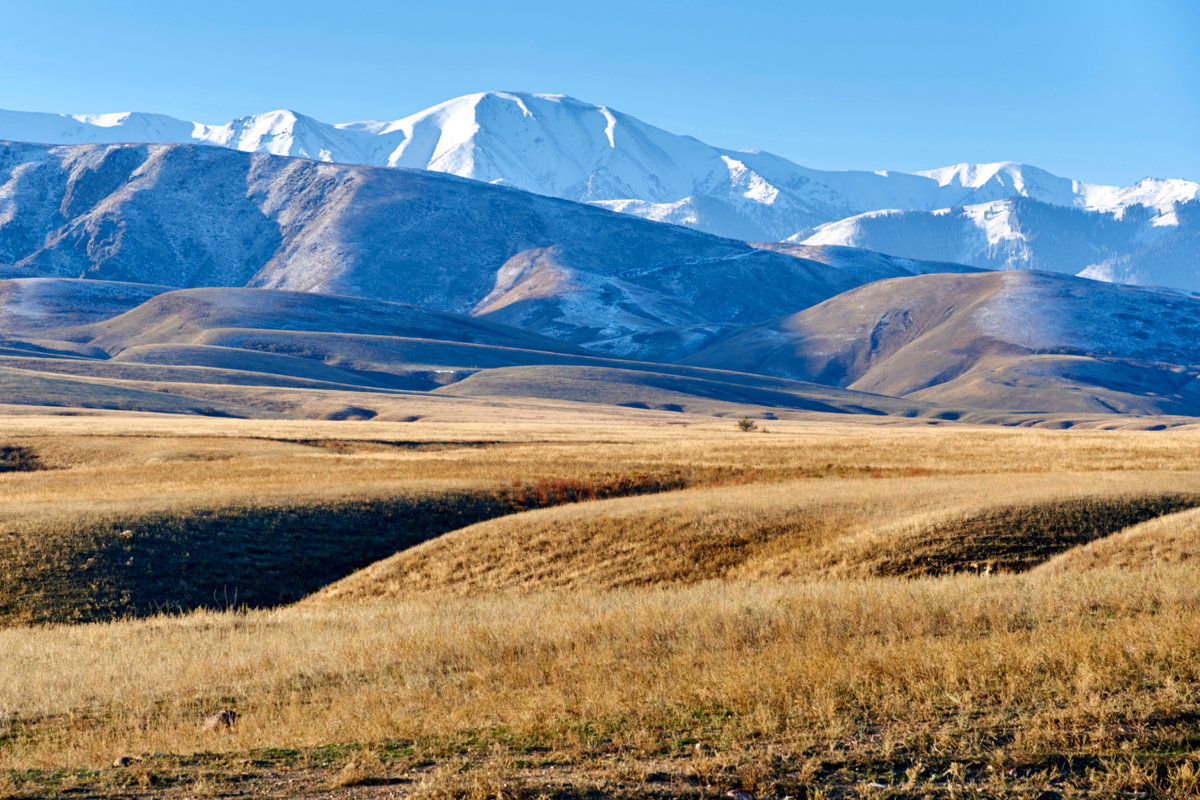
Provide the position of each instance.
(586, 603)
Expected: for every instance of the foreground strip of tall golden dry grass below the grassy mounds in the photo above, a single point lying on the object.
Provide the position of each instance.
(1001, 672)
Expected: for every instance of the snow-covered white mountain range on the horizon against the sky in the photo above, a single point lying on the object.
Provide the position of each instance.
(997, 215)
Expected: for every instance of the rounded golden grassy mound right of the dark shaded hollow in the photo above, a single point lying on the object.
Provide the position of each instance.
(809, 528)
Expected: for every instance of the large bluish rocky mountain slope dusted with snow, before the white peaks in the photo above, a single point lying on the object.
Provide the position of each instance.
(191, 216)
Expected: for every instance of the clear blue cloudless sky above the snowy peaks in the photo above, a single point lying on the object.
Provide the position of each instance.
(1091, 89)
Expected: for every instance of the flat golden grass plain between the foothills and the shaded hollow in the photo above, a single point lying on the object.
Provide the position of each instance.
(163, 462)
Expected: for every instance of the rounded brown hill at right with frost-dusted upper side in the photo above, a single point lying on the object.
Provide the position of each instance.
(1018, 340)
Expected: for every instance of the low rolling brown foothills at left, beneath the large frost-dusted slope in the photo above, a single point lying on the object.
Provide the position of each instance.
(231, 345)
